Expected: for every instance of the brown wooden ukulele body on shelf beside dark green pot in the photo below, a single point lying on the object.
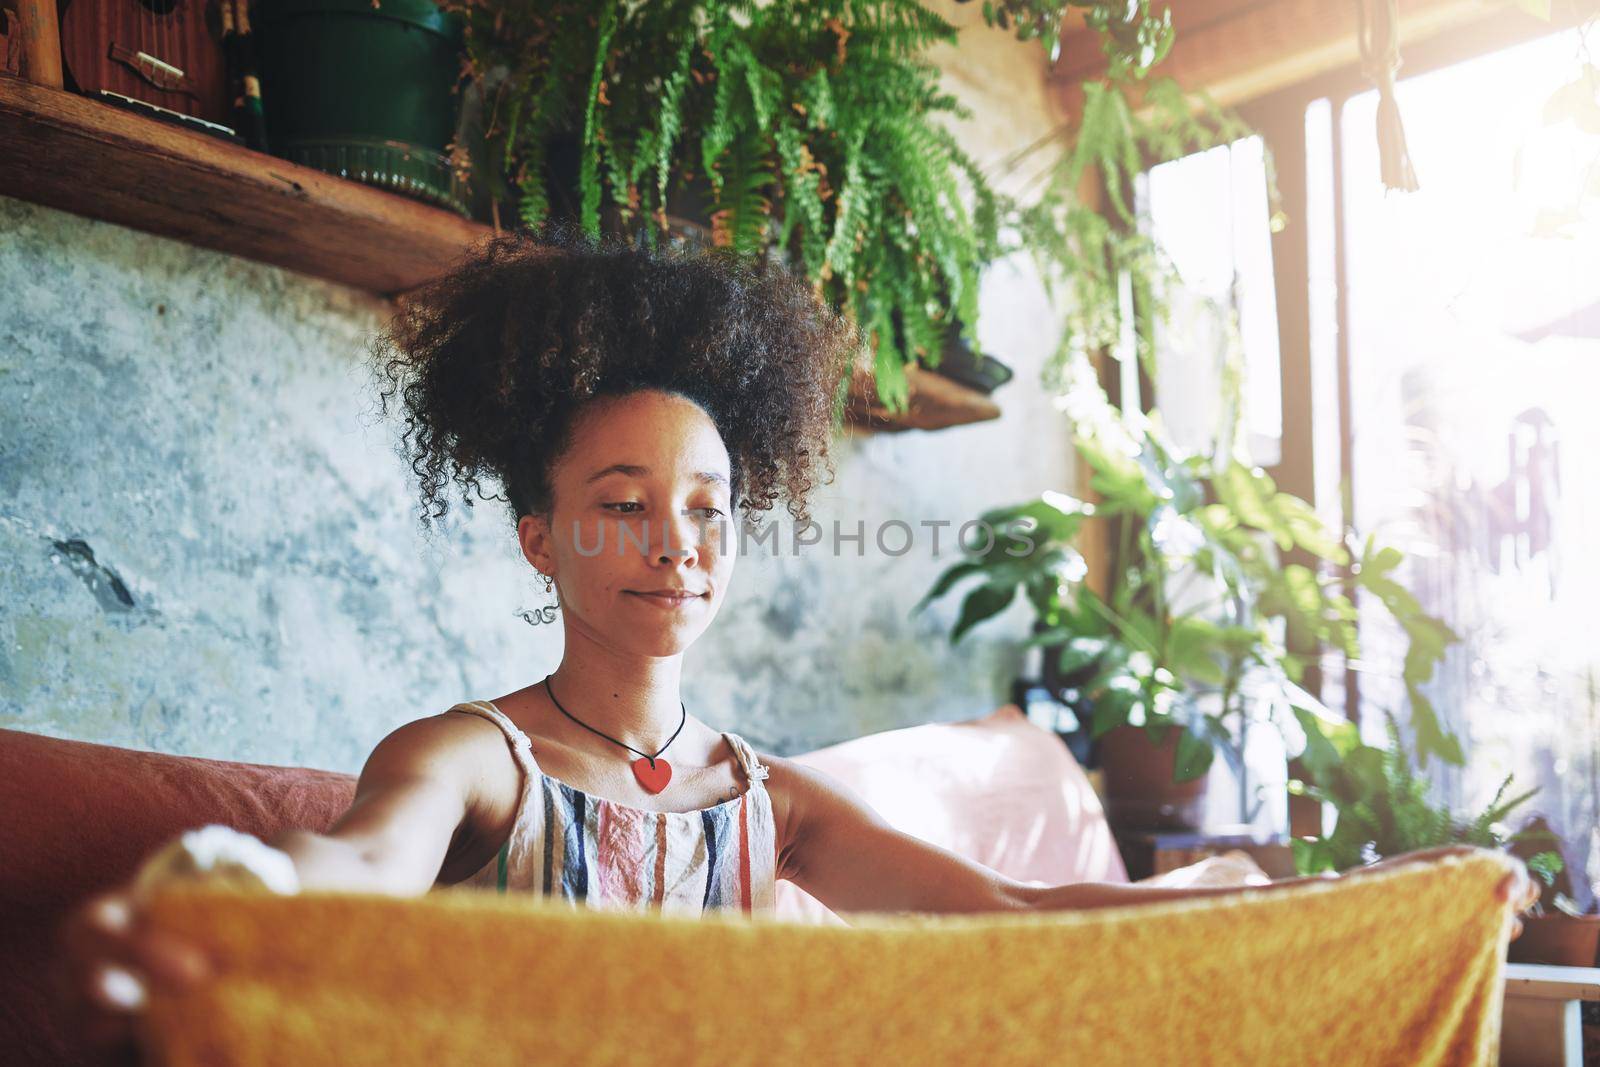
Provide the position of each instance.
(167, 54)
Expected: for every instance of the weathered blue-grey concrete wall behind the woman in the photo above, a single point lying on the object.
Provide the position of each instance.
(210, 546)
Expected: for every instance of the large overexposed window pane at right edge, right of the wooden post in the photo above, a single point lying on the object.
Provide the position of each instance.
(1473, 332)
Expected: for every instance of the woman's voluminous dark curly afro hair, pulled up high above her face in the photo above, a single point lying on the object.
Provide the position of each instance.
(492, 362)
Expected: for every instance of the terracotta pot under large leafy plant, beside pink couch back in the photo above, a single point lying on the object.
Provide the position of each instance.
(1140, 788)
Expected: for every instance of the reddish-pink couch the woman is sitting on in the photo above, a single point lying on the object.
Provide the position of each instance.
(81, 818)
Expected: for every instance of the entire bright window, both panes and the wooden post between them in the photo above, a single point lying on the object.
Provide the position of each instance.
(1444, 348)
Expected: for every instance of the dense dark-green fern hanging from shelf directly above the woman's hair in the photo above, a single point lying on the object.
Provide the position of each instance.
(810, 129)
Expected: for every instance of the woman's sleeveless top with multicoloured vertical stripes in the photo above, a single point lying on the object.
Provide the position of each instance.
(599, 853)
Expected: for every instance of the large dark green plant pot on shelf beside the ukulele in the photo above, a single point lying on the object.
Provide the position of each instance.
(364, 92)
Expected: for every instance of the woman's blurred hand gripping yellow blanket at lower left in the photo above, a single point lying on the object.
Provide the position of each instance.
(114, 964)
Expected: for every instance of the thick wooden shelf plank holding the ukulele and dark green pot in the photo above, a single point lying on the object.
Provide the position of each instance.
(71, 153)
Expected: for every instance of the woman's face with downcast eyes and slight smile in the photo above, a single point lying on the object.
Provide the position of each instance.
(642, 505)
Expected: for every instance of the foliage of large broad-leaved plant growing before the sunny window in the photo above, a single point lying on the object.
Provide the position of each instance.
(1196, 626)
